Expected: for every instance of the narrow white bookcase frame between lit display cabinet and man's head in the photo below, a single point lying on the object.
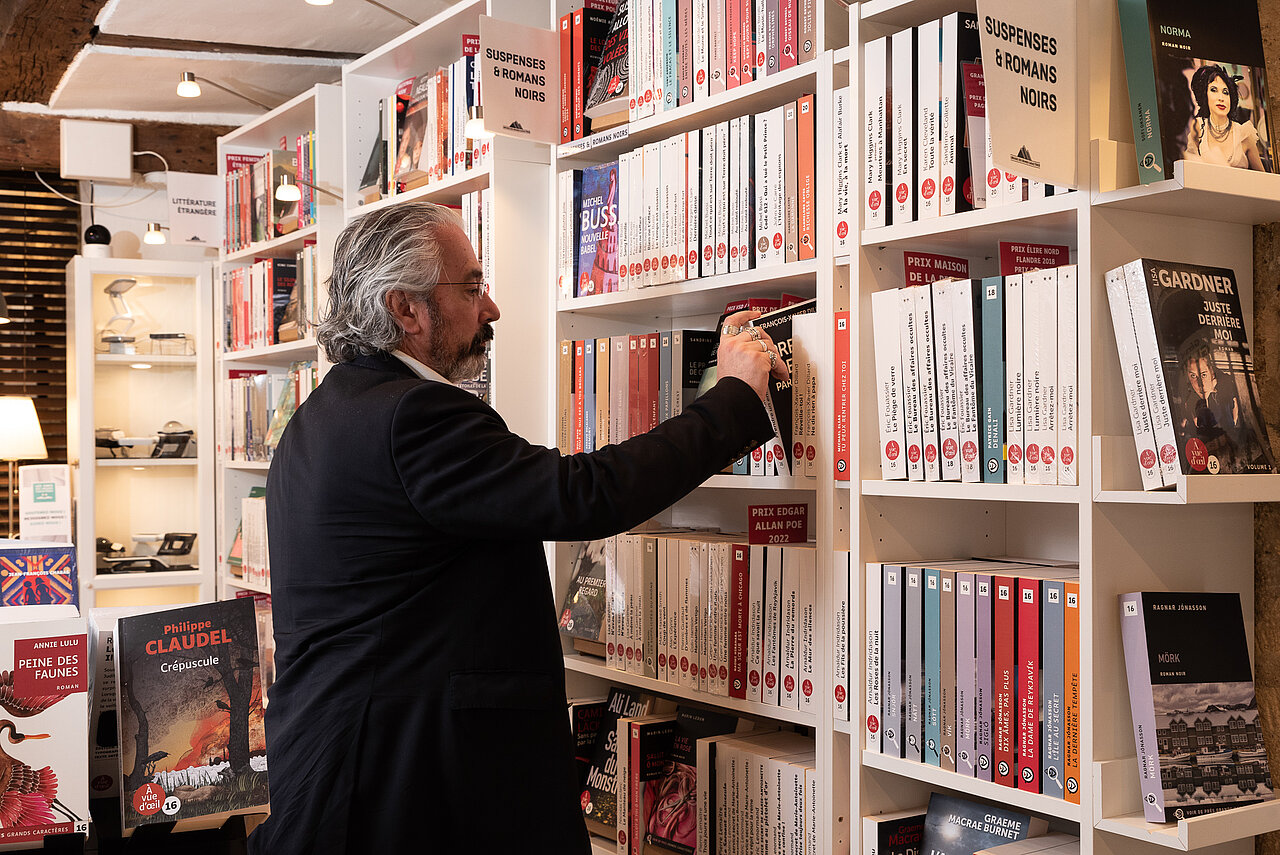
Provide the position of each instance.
(317, 111)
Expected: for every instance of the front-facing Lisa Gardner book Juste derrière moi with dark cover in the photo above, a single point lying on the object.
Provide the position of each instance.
(1194, 314)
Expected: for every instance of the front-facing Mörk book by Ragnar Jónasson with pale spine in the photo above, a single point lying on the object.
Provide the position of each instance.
(1195, 714)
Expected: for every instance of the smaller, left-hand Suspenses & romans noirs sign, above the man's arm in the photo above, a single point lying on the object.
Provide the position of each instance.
(520, 80)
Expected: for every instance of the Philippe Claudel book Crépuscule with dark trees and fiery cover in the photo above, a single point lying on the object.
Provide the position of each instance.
(193, 746)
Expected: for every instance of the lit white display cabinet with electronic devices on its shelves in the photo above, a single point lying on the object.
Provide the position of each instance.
(138, 394)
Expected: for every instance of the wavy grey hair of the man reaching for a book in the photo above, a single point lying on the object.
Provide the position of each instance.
(395, 249)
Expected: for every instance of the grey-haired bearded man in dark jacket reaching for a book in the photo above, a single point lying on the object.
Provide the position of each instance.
(419, 703)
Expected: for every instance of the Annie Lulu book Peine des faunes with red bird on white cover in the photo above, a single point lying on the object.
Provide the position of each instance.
(44, 725)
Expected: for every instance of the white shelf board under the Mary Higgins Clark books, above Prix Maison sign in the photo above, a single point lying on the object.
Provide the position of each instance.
(1044, 221)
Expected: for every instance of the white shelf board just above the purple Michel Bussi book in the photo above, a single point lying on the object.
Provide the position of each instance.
(756, 97)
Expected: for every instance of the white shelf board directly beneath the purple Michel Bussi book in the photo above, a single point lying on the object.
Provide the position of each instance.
(705, 296)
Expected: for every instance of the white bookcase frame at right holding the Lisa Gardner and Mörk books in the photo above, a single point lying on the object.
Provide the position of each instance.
(1123, 538)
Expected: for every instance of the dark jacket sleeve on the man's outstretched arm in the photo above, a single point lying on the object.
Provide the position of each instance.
(468, 474)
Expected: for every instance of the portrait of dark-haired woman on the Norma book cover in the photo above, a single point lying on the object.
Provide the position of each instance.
(1228, 122)
